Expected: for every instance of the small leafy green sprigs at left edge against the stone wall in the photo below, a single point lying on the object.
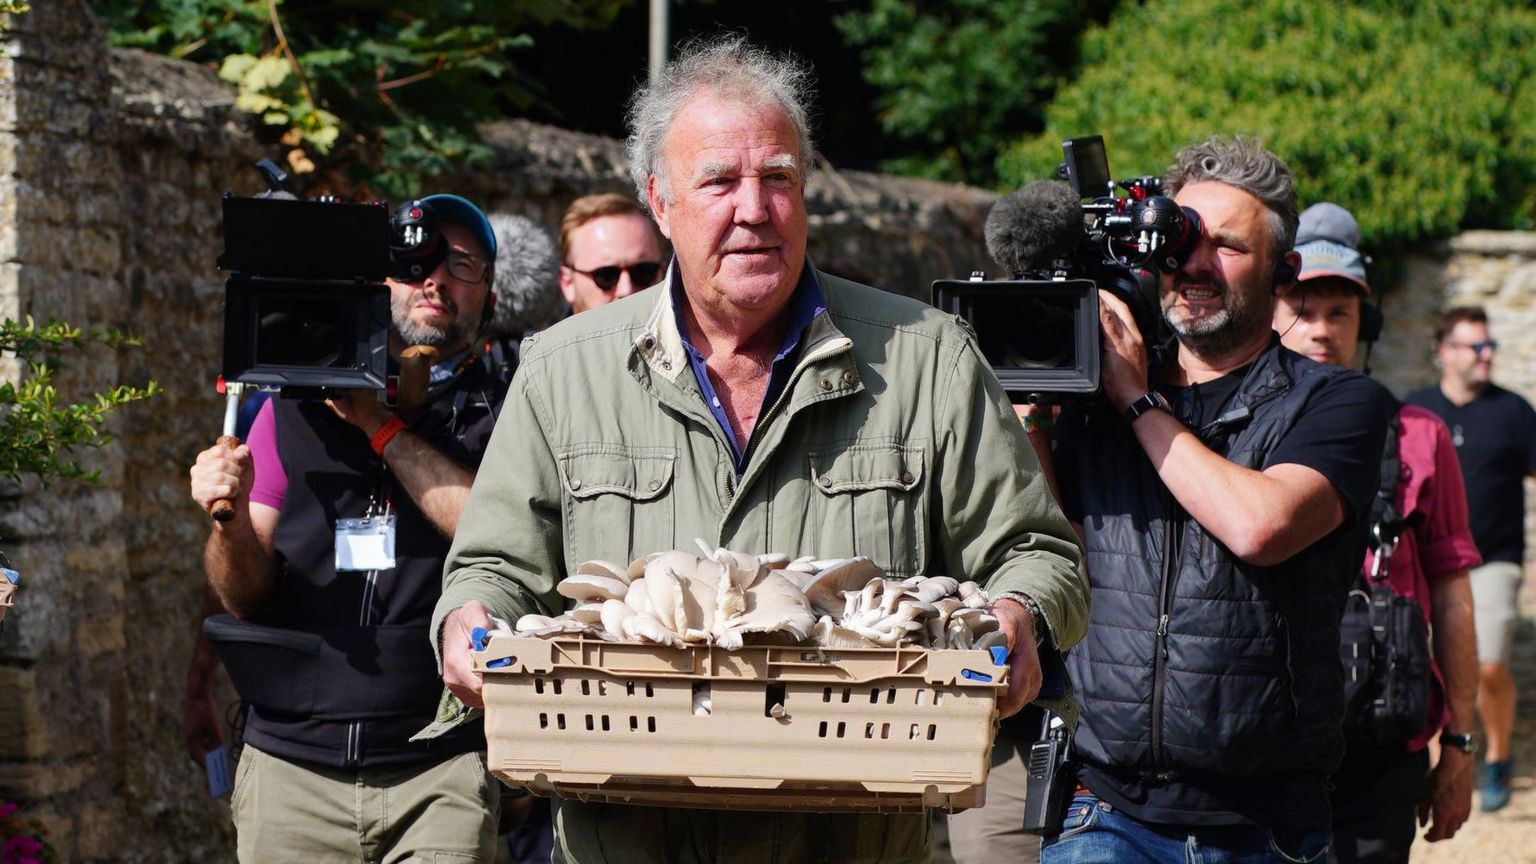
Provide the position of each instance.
(38, 427)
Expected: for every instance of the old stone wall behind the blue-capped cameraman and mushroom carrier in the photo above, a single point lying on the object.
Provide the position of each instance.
(111, 170)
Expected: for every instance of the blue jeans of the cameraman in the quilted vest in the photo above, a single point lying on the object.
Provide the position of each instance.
(1094, 832)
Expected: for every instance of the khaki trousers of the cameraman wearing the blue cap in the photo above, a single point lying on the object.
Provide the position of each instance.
(442, 814)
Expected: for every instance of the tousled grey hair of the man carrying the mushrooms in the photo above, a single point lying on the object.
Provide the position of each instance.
(726, 67)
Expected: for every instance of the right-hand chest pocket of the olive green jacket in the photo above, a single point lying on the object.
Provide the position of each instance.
(872, 497)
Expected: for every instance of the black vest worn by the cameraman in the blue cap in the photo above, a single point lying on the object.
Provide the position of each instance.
(386, 686)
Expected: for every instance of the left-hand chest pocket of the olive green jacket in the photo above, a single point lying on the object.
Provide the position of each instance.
(618, 503)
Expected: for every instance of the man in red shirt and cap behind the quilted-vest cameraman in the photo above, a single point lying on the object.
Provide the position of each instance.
(1426, 550)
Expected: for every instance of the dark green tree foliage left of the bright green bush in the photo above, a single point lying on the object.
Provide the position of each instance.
(956, 78)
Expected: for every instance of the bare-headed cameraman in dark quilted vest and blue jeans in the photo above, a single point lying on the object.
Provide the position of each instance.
(1220, 500)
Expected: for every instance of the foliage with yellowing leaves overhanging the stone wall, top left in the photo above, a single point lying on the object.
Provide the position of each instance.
(392, 90)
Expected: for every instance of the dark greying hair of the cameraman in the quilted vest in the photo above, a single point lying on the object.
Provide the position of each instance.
(1246, 165)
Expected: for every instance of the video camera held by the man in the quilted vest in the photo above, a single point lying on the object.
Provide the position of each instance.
(1041, 328)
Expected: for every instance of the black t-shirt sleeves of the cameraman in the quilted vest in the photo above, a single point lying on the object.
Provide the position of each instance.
(1334, 436)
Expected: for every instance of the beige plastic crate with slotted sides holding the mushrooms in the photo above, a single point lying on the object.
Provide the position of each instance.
(789, 728)
